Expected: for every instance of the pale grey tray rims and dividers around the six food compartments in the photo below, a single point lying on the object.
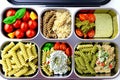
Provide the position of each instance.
(72, 40)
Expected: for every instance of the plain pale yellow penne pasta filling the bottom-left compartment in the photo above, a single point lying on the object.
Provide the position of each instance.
(19, 59)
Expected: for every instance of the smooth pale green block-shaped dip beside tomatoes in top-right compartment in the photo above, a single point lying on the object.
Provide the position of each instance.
(104, 20)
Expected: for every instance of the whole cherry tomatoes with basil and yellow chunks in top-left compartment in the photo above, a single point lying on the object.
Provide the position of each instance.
(20, 23)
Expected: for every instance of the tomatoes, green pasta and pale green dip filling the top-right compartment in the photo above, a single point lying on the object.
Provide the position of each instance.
(93, 24)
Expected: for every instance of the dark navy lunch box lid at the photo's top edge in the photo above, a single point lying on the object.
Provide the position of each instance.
(61, 2)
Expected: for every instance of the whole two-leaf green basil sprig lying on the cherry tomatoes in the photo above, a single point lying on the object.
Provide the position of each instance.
(18, 15)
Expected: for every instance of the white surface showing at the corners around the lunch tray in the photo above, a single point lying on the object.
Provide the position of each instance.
(115, 4)
